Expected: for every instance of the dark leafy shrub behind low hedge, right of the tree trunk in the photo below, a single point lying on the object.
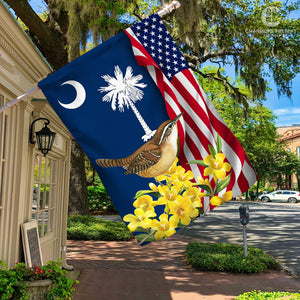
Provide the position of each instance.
(99, 200)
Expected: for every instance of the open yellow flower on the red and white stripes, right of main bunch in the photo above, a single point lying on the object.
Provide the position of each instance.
(216, 166)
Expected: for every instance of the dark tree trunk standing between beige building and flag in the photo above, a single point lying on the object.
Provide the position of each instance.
(78, 202)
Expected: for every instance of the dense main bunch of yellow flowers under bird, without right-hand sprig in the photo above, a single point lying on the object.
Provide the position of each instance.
(180, 201)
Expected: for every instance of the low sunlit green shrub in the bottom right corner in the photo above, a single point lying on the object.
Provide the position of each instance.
(259, 295)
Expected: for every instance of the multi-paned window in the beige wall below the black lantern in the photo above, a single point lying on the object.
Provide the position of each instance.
(44, 190)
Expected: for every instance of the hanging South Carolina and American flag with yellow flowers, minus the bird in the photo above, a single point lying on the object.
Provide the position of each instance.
(113, 98)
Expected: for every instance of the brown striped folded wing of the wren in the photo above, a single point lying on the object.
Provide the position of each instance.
(144, 160)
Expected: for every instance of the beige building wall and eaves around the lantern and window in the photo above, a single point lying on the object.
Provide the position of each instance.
(21, 67)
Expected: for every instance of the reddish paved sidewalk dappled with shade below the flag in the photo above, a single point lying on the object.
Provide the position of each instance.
(126, 271)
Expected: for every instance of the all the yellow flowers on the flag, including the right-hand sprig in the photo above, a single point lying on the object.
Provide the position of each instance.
(178, 198)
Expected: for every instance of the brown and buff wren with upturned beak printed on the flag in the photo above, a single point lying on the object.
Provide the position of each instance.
(155, 157)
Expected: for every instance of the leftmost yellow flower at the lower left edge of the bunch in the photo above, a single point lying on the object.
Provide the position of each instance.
(139, 219)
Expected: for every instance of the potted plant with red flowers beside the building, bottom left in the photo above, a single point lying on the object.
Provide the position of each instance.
(38, 282)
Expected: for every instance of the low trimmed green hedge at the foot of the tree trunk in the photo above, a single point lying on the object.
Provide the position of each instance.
(90, 228)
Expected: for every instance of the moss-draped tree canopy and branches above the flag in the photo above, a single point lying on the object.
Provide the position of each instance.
(257, 37)
